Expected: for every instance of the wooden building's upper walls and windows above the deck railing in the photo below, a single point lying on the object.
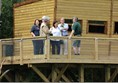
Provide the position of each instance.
(98, 18)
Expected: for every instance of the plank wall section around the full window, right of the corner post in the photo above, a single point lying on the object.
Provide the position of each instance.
(85, 10)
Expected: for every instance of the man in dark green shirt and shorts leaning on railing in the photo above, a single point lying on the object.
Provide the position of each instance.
(76, 31)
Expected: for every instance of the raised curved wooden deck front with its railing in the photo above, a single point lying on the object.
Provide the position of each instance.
(93, 50)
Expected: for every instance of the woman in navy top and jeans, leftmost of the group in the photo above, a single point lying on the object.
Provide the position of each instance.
(37, 44)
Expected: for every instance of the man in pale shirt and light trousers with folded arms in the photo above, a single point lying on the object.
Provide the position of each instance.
(64, 30)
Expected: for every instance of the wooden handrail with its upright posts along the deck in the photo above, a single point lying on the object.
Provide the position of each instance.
(47, 42)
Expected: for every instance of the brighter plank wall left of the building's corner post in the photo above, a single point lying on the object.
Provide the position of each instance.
(25, 15)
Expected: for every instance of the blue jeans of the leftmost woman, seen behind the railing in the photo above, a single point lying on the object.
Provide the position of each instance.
(38, 46)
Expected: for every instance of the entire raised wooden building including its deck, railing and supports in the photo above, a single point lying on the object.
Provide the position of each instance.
(99, 42)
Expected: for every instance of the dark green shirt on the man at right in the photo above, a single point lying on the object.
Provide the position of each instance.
(77, 28)
